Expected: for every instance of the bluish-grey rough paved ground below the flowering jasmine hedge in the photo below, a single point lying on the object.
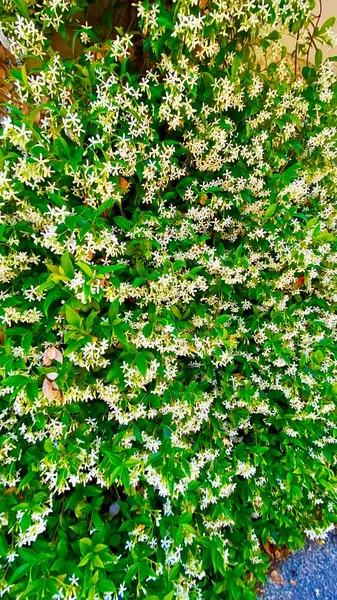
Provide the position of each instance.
(310, 574)
